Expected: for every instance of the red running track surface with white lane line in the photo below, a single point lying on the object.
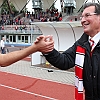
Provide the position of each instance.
(16, 87)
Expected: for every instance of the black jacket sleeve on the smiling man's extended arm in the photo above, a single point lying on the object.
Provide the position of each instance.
(63, 60)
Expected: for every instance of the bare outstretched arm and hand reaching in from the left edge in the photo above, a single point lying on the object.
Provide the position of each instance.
(12, 57)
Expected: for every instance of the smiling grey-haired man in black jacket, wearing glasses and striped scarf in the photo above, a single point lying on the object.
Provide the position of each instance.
(80, 55)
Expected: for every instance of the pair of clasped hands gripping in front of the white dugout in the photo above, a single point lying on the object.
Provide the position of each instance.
(45, 43)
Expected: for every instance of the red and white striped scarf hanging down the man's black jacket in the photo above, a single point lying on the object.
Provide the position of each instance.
(79, 61)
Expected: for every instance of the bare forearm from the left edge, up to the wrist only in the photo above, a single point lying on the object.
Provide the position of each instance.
(7, 59)
